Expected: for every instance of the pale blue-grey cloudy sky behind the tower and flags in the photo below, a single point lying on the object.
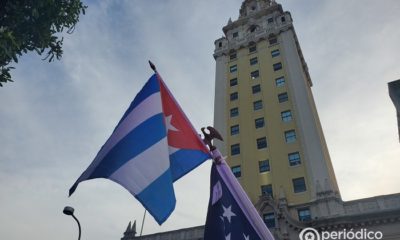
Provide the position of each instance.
(55, 117)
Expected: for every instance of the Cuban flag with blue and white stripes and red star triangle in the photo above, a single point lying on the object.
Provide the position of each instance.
(153, 145)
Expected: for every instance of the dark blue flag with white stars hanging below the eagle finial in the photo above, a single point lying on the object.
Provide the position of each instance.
(231, 215)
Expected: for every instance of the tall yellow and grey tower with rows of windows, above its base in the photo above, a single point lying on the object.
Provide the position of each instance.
(265, 110)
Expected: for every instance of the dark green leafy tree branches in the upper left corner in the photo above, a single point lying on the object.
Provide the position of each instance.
(34, 25)
